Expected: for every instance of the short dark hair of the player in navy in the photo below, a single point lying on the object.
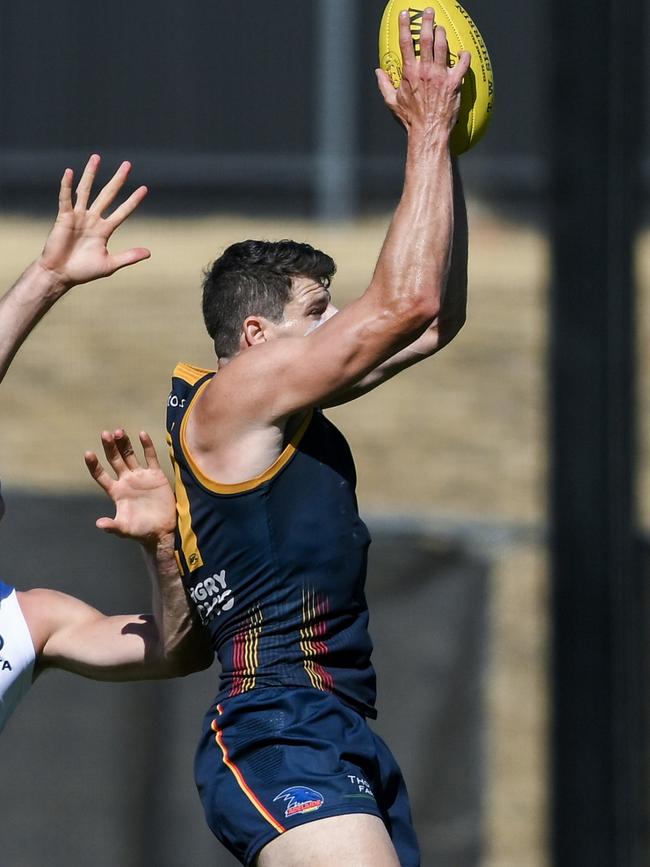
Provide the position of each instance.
(255, 278)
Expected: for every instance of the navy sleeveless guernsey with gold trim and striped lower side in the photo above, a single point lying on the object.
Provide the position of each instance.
(276, 566)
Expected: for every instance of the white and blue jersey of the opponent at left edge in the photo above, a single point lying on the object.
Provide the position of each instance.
(17, 655)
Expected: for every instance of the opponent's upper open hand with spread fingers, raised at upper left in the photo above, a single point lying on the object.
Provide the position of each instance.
(76, 249)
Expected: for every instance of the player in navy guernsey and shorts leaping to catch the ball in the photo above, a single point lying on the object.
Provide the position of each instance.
(272, 549)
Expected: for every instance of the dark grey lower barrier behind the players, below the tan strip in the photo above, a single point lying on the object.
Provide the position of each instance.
(102, 773)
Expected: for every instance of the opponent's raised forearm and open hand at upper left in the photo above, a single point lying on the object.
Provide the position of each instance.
(75, 252)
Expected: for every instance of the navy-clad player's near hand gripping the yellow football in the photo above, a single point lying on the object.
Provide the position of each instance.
(428, 98)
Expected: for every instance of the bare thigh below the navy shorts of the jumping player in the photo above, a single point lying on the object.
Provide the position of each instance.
(357, 840)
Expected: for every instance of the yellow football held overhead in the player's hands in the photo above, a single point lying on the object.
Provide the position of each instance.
(477, 92)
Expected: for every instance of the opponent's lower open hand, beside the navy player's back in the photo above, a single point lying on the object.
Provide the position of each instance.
(145, 508)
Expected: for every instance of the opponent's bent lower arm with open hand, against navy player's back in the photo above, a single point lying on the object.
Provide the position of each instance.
(168, 643)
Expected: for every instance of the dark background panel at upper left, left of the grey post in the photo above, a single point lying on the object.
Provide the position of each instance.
(170, 78)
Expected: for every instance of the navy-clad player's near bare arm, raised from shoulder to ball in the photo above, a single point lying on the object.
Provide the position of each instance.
(280, 377)
